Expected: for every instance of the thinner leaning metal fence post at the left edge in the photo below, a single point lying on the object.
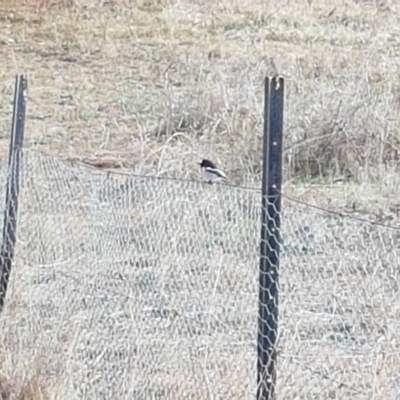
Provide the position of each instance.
(12, 189)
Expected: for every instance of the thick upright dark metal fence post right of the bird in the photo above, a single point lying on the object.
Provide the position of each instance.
(270, 238)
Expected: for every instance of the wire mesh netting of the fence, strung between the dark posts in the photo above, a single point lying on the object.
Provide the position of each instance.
(144, 288)
